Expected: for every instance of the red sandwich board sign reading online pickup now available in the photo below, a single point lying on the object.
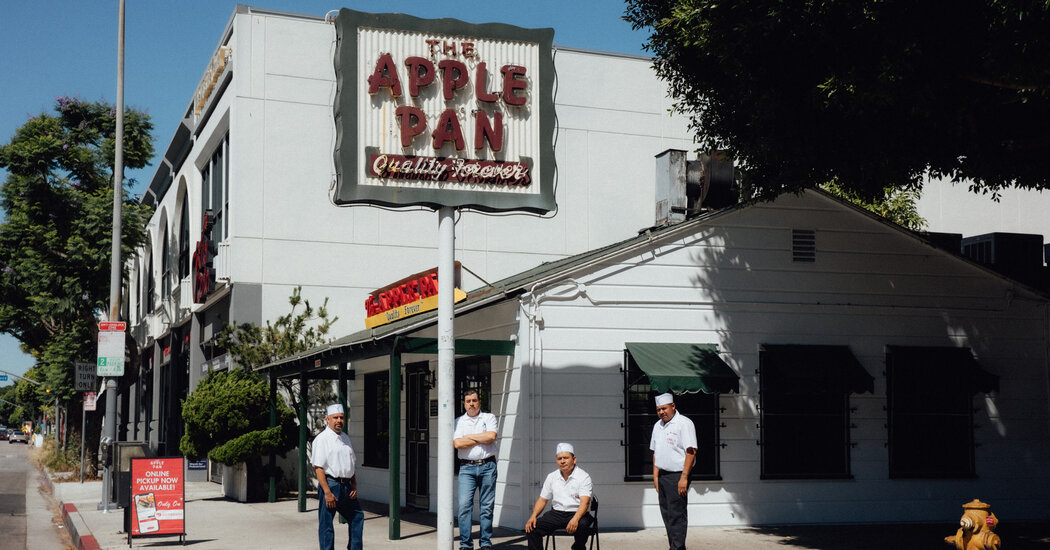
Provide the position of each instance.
(158, 498)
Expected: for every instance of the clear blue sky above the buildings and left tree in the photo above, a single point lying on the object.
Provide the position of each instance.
(69, 48)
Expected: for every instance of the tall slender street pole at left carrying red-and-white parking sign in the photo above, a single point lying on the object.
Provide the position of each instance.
(115, 268)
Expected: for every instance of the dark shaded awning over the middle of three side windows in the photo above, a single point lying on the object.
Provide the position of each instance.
(831, 368)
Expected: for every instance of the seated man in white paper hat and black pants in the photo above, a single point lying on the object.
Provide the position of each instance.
(569, 490)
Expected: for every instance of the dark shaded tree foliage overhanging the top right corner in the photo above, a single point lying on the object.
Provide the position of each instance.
(866, 94)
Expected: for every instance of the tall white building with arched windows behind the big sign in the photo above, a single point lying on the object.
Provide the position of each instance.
(257, 149)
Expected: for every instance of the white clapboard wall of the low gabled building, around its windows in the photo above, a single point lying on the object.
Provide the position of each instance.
(734, 285)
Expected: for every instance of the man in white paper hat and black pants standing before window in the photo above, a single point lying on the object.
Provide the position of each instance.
(674, 445)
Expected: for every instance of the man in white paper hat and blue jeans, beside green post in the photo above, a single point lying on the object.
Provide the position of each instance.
(335, 466)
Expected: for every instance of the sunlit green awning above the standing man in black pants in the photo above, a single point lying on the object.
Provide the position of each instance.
(684, 369)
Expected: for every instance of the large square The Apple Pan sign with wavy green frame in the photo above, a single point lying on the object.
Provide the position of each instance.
(444, 113)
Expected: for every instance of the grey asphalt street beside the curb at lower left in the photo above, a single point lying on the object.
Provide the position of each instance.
(28, 513)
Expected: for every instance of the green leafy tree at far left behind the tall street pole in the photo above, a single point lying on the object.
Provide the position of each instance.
(56, 236)
